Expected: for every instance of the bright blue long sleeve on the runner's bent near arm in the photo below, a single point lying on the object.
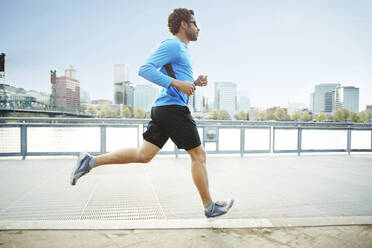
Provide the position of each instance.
(165, 54)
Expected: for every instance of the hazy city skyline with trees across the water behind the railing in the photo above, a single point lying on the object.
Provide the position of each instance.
(328, 101)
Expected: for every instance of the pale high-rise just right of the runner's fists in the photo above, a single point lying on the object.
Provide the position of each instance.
(225, 97)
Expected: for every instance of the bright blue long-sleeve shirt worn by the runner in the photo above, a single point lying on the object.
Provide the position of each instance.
(175, 52)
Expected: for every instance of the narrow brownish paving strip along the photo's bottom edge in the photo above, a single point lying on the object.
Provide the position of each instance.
(311, 237)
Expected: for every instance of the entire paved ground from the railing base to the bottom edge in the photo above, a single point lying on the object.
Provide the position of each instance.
(281, 201)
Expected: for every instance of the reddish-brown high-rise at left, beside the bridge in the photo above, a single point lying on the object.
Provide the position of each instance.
(65, 90)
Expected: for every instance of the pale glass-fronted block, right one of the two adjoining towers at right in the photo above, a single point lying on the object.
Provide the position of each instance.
(347, 97)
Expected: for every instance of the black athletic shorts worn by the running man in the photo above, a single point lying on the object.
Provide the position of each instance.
(175, 122)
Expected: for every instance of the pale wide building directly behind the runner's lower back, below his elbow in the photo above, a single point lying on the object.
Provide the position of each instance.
(144, 96)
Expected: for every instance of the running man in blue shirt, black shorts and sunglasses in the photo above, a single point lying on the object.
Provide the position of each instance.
(170, 116)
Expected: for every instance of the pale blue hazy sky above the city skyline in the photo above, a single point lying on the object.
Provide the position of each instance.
(275, 50)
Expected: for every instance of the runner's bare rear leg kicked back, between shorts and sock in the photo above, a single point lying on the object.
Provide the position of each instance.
(144, 154)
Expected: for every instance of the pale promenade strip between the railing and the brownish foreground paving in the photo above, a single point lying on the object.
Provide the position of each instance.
(264, 187)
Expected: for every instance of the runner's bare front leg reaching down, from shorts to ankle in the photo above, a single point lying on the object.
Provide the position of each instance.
(199, 173)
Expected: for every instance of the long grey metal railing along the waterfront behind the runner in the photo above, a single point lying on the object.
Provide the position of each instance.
(210, 134)
